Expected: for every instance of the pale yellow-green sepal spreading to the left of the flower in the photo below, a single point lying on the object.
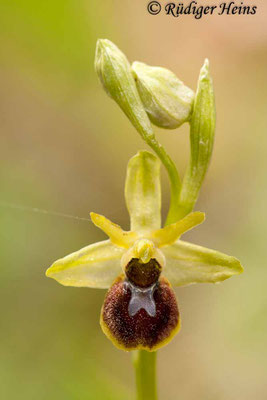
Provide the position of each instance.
(94, 266)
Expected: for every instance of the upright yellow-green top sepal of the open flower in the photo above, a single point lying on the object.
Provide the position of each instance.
(143, 192)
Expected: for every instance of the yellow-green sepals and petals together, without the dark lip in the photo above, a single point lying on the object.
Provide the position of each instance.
(182, 263)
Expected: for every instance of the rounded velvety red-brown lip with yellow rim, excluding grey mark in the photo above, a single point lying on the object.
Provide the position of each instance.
(141, 329)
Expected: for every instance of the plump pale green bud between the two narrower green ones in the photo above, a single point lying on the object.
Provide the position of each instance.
(167, 101)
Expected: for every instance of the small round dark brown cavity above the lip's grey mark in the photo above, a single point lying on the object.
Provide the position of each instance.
(143, 275)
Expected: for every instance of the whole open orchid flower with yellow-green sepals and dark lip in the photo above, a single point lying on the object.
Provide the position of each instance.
(139, 266)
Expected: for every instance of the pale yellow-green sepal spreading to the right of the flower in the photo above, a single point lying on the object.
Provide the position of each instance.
(188, 263)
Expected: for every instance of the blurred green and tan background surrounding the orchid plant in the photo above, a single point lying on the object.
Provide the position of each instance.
(64, 147)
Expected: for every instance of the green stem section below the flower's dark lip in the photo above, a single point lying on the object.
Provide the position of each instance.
(145, 372)
